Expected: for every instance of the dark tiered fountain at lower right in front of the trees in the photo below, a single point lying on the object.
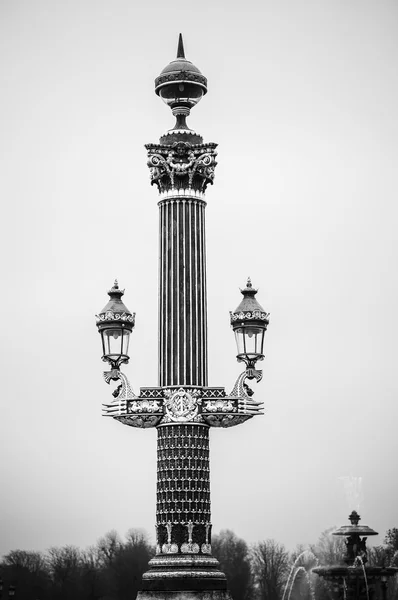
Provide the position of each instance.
(354, 579)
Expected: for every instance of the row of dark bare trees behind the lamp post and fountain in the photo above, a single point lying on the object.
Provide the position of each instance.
(113, 567)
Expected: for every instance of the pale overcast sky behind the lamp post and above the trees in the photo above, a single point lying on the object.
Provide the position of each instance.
(303, 101)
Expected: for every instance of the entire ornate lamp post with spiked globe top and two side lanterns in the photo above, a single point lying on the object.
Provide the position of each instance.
(183, 407)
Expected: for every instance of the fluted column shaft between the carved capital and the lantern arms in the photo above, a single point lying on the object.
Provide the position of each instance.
(182, 297)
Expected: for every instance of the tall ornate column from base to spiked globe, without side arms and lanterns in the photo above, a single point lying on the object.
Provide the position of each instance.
(181, 167)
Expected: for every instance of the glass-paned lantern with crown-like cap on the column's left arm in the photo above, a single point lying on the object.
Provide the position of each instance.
(115, 323)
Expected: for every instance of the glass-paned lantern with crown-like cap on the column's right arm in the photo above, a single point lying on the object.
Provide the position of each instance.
(249, 323)
